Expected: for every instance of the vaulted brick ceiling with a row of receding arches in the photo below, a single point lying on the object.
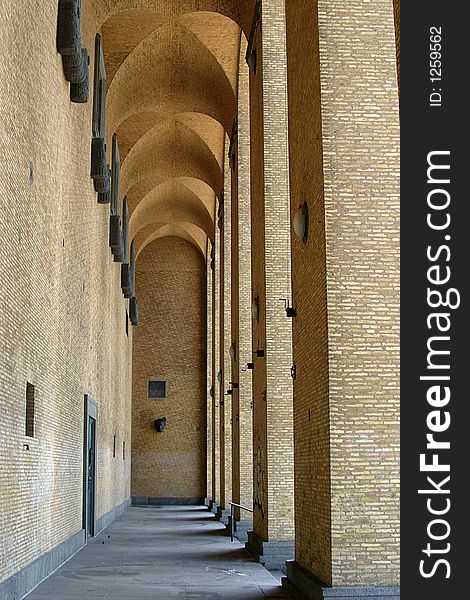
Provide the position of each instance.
(172, 71)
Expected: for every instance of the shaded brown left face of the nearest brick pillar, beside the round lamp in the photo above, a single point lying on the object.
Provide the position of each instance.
(310, 339)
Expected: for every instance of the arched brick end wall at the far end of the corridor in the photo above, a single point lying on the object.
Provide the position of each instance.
(170, 345)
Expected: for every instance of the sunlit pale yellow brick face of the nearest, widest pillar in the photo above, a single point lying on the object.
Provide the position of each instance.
(361, 174)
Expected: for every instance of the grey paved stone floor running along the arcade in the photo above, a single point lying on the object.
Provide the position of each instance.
(161, 553)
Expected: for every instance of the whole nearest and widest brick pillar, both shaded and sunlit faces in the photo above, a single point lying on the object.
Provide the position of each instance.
(344, 151)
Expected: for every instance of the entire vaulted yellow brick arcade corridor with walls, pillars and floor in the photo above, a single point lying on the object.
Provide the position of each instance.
(199, 299)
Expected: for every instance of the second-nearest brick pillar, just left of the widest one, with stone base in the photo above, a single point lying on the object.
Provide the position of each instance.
(273, 521)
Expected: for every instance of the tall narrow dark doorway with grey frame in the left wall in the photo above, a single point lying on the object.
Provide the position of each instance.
(89, 466)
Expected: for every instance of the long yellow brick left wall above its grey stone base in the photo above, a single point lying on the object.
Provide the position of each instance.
(62, 313)
